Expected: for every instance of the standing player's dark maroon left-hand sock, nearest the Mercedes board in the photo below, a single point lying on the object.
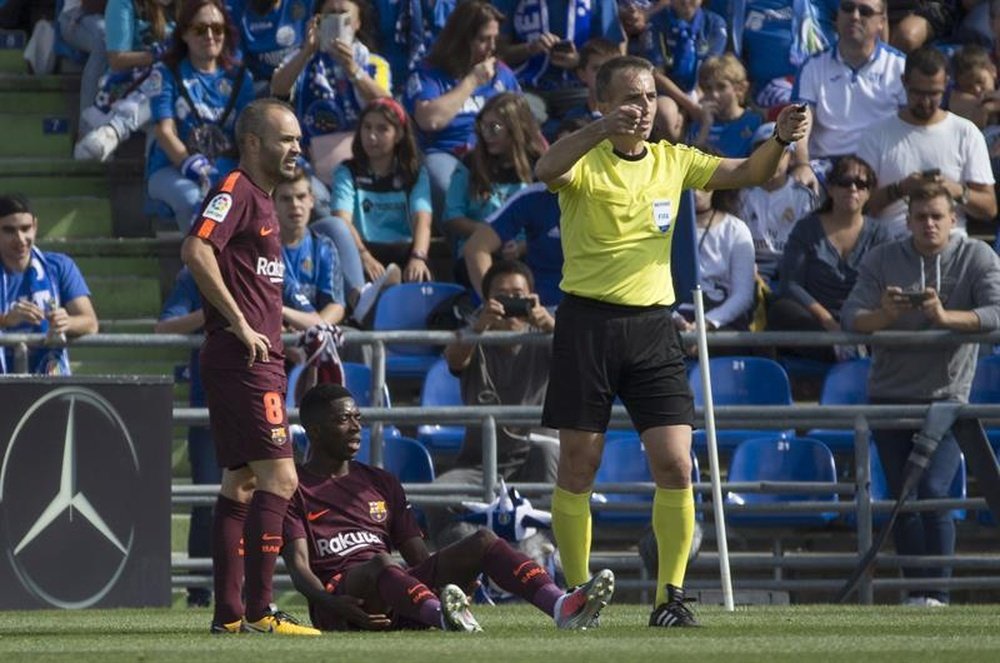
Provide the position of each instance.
(227, 559)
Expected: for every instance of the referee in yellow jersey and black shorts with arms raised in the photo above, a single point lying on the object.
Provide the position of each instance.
(618, 195)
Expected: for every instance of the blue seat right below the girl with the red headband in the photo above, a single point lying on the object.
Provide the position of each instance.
(406, 307)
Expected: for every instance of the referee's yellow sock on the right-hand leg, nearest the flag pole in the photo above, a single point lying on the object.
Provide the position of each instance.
(673, 526)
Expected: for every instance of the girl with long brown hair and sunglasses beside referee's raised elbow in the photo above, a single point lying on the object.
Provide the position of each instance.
(508, 143)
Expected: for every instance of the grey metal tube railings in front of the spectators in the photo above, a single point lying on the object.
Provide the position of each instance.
(799, 416)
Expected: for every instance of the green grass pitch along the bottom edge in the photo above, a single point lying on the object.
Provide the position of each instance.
(519, 633)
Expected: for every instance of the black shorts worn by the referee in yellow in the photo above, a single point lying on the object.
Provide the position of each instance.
(603, 350)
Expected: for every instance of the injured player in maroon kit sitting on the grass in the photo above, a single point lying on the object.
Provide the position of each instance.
(345, 519)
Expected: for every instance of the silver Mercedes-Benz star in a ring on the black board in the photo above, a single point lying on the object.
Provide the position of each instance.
(65, 483)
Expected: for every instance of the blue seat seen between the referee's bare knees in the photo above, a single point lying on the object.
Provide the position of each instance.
(624, 460)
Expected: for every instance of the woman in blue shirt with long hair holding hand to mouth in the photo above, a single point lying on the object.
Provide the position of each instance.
(449, 88)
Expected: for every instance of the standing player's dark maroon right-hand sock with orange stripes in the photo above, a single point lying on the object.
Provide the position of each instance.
(262, 535)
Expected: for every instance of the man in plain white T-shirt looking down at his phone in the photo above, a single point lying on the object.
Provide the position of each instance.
(924, 142)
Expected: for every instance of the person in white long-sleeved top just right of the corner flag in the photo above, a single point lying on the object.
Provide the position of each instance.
(726, 269)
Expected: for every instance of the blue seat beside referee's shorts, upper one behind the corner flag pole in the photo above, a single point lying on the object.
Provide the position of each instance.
(741, 381)
